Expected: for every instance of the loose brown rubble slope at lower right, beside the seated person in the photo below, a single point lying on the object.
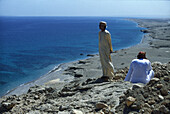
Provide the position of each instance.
(152, 98)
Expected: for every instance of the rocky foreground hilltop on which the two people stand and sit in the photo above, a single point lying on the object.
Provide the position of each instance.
(96, 96)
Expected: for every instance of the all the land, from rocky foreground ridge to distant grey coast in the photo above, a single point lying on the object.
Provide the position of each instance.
(77, 86)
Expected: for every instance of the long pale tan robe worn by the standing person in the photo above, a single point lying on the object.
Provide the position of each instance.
(105, 46)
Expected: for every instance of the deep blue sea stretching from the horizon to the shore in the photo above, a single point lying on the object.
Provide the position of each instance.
(31, 46)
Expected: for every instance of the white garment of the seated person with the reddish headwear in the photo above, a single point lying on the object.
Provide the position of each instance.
(140, 71)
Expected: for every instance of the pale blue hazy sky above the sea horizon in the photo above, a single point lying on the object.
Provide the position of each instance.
(123, 8)
